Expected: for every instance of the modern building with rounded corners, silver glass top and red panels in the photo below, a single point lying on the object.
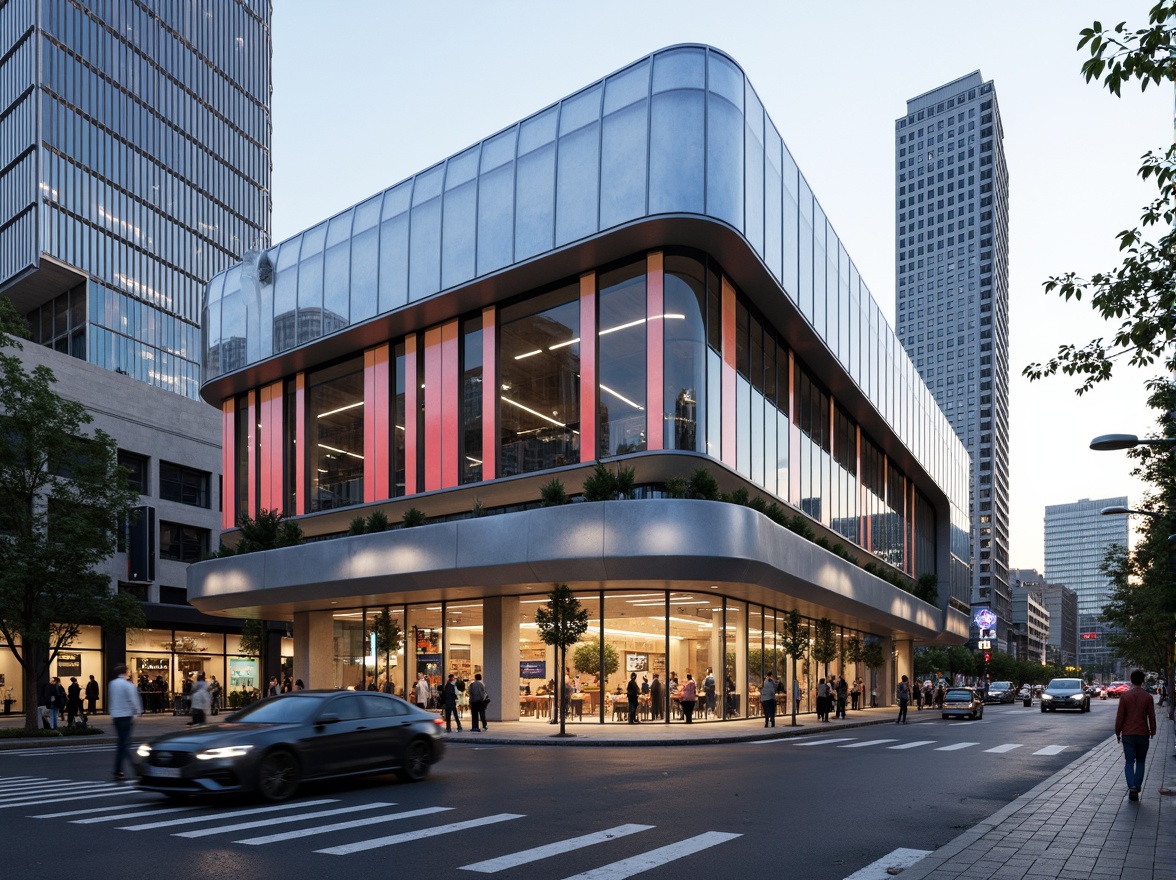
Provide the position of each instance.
(637, 276)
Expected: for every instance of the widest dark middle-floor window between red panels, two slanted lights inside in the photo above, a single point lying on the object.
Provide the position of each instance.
(539, 383)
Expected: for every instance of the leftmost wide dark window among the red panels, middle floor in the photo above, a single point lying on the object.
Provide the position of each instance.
(336, 436)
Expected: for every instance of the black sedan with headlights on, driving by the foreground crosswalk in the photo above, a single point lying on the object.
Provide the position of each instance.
(272, 746)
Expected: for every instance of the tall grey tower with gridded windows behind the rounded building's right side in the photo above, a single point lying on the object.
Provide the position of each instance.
(952, 209)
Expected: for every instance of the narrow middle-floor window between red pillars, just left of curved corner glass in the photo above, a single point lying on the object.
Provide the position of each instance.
(622, 362)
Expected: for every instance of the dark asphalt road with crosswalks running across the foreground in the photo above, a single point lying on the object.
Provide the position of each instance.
(816, 808)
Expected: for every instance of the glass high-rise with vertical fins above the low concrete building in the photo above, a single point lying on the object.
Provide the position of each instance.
(135, 165)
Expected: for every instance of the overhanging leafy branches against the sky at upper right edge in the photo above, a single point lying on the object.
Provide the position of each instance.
(1141, 292)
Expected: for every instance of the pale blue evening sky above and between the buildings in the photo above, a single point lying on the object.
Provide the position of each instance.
(369, 92)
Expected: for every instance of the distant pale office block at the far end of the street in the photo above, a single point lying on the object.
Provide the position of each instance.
(1078, 538)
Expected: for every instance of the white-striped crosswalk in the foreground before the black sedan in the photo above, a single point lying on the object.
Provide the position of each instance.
(316, 822)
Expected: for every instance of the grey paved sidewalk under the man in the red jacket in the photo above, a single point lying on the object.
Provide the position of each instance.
(1078, 825)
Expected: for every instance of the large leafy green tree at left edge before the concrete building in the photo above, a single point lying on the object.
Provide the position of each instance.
(63, 497)
